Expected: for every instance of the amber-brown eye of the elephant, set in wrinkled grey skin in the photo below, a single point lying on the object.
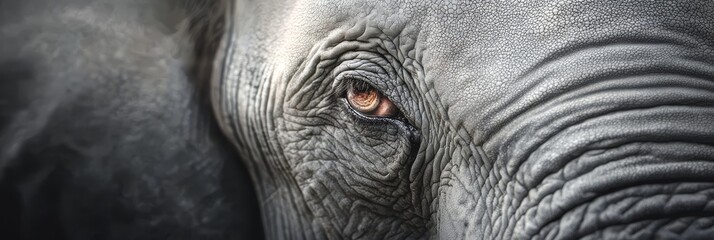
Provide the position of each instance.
(367, 100)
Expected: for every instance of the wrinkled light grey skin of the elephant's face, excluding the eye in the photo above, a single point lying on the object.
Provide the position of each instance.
(521, 119)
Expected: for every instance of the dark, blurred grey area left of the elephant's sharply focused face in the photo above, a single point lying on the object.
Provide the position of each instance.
(104, 130)
